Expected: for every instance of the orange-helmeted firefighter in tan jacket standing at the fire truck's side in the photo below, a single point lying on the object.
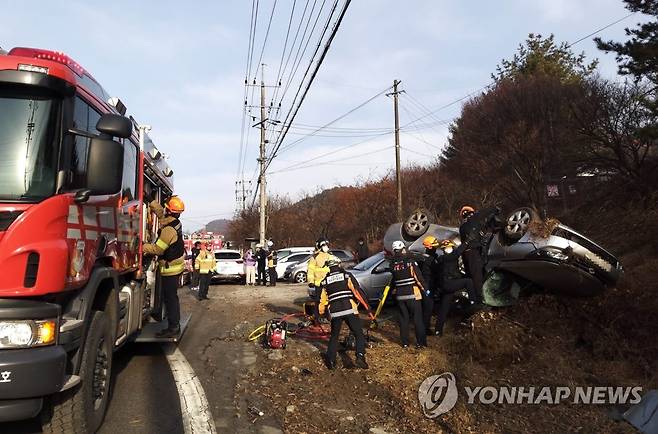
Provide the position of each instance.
(170, 250)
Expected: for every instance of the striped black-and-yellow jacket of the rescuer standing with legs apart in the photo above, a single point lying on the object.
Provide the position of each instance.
(338, 290)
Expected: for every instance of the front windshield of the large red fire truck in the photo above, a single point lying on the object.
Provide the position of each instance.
(28, 144)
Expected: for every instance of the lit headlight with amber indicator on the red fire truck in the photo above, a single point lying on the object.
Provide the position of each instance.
(27, 333)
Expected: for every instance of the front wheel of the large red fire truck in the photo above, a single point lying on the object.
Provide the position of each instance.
(82, 408)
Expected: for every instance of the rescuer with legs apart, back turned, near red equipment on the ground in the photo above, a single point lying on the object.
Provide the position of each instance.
(338, 293)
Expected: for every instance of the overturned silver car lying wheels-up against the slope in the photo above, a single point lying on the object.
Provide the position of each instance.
(524, 251)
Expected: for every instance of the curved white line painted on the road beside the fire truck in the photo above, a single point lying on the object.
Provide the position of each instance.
(197, 418)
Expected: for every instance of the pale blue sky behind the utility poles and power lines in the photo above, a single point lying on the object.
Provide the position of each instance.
(180, 67)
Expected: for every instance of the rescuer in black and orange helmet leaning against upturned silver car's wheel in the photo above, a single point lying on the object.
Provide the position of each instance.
(474, 228)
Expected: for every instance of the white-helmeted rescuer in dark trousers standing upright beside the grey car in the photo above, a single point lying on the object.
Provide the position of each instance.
(407, 284)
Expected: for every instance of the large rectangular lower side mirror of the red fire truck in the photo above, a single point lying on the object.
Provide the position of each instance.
(104, 166)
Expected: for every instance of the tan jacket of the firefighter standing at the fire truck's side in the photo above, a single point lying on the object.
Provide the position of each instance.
(169, 246)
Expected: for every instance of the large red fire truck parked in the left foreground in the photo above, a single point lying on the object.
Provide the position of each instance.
(75, 179)
